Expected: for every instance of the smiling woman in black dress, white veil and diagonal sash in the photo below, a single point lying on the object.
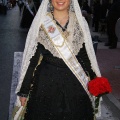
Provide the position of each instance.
(59, 84)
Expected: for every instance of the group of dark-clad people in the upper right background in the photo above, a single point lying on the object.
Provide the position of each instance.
(104, 18)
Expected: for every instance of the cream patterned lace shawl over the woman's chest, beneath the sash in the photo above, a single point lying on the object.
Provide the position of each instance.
(75, 38)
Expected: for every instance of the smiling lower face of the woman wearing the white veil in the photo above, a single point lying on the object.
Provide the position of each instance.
(61, 4)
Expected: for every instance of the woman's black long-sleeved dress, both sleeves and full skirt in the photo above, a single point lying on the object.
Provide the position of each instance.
(56, 93)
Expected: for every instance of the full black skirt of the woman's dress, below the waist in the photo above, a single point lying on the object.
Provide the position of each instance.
(57, 95)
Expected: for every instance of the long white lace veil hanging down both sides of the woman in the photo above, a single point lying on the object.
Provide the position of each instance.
(31, 41)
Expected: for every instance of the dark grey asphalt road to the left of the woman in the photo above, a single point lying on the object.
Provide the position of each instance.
(12, 39)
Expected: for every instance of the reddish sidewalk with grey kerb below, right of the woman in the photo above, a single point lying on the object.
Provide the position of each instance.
(109, 63)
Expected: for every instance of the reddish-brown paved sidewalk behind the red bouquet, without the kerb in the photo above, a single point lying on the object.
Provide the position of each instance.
(109, 63)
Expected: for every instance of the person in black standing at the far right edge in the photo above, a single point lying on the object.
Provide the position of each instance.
(112, 17)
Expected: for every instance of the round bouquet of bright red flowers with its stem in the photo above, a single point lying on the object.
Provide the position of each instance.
(98, 87)
